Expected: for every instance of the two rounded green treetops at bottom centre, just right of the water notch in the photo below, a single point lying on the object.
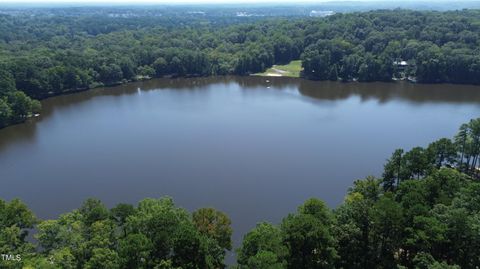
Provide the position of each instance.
(303, 240)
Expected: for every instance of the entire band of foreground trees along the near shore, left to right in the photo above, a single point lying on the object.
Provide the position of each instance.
(424, 212)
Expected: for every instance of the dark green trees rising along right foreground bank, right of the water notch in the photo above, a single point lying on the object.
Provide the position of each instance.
(424, 213)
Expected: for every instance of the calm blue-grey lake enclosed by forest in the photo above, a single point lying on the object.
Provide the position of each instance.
(252, 148)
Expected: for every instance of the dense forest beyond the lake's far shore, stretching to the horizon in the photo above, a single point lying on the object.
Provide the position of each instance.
(43, 54)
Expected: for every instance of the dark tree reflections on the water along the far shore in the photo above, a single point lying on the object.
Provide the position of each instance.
(326, 90)
